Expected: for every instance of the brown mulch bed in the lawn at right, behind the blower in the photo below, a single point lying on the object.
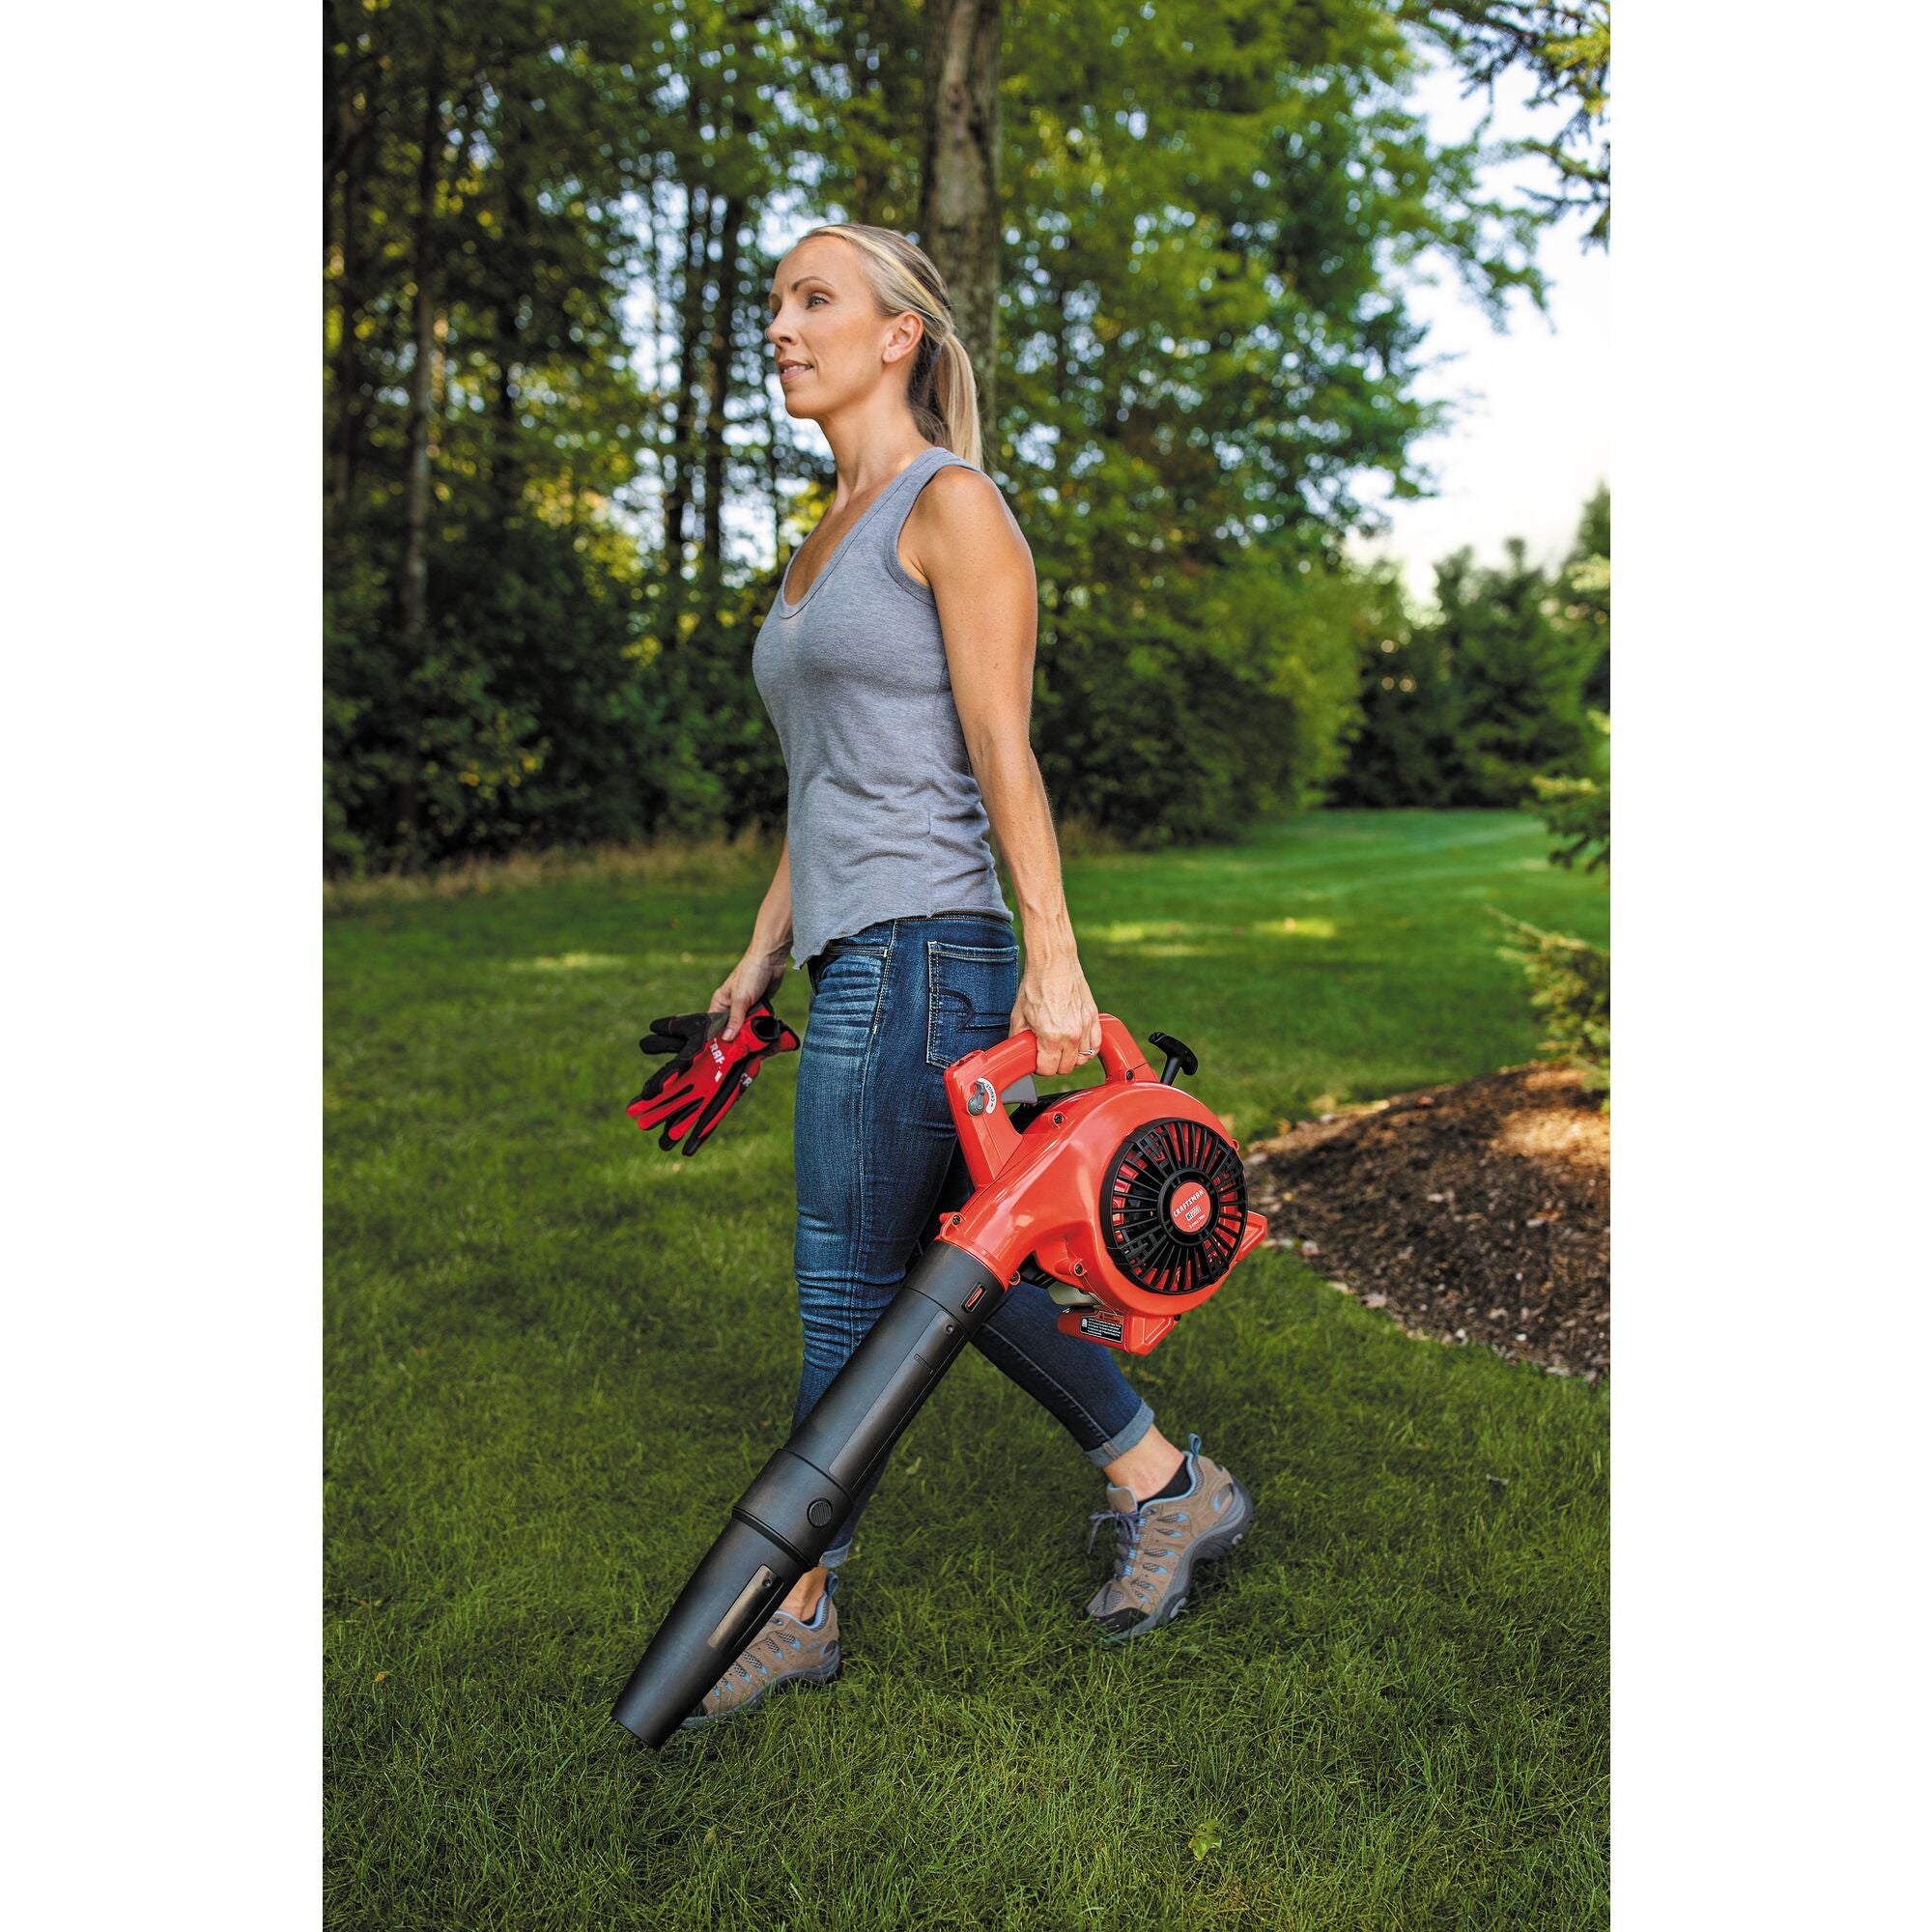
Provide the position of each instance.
(1473, 1214)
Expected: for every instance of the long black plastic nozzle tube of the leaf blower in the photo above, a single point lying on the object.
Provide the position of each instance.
(805, 1492)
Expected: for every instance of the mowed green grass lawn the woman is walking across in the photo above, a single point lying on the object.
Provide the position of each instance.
(557, 1355)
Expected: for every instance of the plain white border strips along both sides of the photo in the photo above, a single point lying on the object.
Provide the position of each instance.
(163, 1365)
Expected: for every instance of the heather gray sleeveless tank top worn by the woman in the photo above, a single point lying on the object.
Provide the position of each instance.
(884, 812)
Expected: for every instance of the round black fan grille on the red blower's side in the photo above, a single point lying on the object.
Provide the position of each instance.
(1147, 1174)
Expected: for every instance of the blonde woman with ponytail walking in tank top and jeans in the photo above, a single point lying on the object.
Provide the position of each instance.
(897, 664)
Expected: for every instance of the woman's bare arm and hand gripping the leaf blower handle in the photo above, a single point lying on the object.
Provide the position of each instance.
(971, 552)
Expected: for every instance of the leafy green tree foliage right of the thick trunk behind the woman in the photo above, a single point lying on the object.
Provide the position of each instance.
(1208, 349)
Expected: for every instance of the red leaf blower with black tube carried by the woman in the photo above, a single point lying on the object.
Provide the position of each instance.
(1127, 1201)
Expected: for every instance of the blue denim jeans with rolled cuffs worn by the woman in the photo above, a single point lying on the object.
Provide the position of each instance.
(874, 1149)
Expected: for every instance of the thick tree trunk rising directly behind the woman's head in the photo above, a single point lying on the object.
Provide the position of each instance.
(959, 179)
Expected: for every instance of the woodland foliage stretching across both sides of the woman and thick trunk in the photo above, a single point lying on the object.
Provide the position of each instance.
(559, 482)
